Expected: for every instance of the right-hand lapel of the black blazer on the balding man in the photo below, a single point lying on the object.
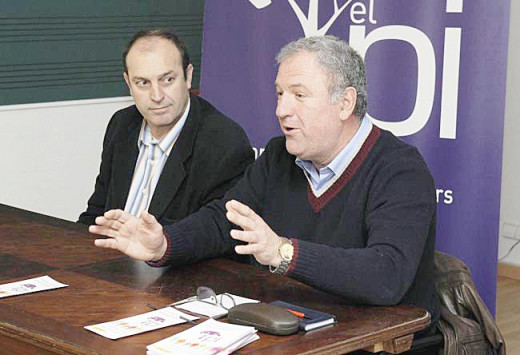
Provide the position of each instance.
(174, 172)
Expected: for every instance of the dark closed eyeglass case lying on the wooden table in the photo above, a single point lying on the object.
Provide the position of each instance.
(264, 317)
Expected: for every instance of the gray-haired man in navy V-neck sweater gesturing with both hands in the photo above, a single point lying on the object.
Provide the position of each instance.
(336, 203)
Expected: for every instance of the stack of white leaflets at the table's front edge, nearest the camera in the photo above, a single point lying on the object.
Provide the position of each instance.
(207, 338)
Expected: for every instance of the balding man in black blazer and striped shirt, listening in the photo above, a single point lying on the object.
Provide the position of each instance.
(208, 152)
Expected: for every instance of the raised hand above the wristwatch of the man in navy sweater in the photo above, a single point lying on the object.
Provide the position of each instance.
(262, 241)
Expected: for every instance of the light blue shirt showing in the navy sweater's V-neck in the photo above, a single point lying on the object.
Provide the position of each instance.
(320, 180)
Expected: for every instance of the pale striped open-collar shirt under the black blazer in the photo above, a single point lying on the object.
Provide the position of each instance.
(153, 154)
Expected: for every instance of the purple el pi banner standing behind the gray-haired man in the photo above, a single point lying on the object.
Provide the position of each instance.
(436, 77)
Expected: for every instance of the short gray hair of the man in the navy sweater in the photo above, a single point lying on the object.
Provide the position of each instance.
(344, 66)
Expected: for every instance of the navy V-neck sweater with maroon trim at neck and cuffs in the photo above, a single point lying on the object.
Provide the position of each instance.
(369, 238)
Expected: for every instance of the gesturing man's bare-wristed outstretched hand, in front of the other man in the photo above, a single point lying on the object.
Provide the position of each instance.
(141, 239)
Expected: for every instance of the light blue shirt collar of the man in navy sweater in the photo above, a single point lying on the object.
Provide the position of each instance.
(343, 159)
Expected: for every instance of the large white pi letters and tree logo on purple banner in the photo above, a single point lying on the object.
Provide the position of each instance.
(359, 14)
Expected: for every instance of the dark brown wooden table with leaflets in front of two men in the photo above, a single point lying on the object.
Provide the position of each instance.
(104, 285)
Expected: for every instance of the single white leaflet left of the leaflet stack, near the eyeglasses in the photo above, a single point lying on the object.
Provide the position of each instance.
(141, 323)
